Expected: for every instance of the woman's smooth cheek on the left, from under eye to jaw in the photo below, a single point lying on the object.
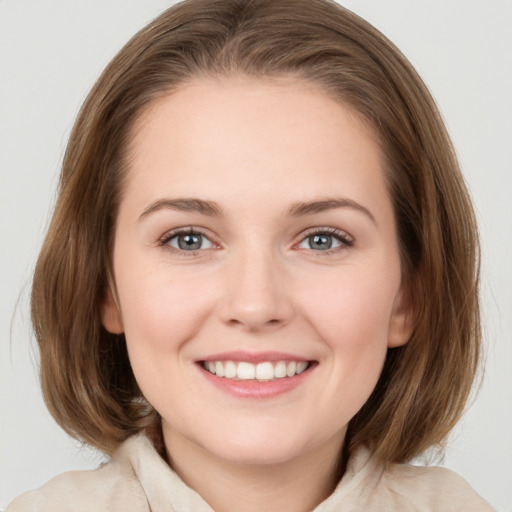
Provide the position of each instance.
(161, 314)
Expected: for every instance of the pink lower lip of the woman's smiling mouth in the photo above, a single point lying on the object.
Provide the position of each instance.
(257, 389)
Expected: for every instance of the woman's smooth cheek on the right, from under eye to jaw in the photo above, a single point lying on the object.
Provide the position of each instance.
(350, 315)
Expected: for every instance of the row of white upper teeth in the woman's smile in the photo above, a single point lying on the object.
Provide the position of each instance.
(262, 372)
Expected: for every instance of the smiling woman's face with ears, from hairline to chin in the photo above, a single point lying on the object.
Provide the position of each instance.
(256, 267)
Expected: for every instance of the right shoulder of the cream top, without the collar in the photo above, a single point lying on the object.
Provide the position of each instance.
(432, 489)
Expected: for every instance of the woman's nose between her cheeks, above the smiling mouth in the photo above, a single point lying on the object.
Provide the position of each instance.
(257, 296)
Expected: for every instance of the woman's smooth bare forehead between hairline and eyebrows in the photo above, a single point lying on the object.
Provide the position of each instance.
(248, 132)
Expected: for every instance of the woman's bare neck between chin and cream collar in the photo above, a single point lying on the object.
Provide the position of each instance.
(296, 485)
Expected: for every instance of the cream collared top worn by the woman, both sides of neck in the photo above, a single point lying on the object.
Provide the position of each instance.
(137, 479)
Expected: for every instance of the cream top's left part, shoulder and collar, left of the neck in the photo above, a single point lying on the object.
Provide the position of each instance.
(136, 479)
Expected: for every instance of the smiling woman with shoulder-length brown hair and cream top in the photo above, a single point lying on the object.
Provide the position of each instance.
(261, 271)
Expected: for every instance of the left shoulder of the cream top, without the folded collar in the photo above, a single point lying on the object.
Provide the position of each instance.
(112, 487)
